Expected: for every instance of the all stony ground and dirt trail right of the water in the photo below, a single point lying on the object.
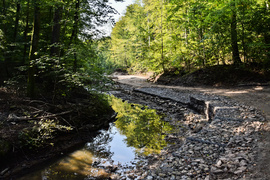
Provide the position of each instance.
(226, 137)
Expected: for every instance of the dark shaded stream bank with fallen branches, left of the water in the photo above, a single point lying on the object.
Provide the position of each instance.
(36, 131)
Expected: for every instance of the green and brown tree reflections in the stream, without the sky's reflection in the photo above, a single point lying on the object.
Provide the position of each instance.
(143, 129)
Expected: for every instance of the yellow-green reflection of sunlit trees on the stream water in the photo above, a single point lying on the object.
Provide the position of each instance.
(143, 127)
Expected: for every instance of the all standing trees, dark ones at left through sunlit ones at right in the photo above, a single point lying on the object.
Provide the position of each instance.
(62, 41)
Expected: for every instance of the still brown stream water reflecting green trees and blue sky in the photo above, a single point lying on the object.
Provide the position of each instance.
(138, 131)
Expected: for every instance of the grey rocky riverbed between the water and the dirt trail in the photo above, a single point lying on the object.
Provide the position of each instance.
(213, 137)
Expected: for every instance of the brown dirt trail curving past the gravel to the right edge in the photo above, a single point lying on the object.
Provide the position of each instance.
(253, 96)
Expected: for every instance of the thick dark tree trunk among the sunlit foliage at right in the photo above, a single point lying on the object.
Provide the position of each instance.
(234, 41)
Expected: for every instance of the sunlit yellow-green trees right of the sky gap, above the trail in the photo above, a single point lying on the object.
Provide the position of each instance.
(163, 35)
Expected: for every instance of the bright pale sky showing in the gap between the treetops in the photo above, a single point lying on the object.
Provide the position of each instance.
(120, 7)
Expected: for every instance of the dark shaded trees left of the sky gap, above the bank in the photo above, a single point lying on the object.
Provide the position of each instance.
(52, 41)
